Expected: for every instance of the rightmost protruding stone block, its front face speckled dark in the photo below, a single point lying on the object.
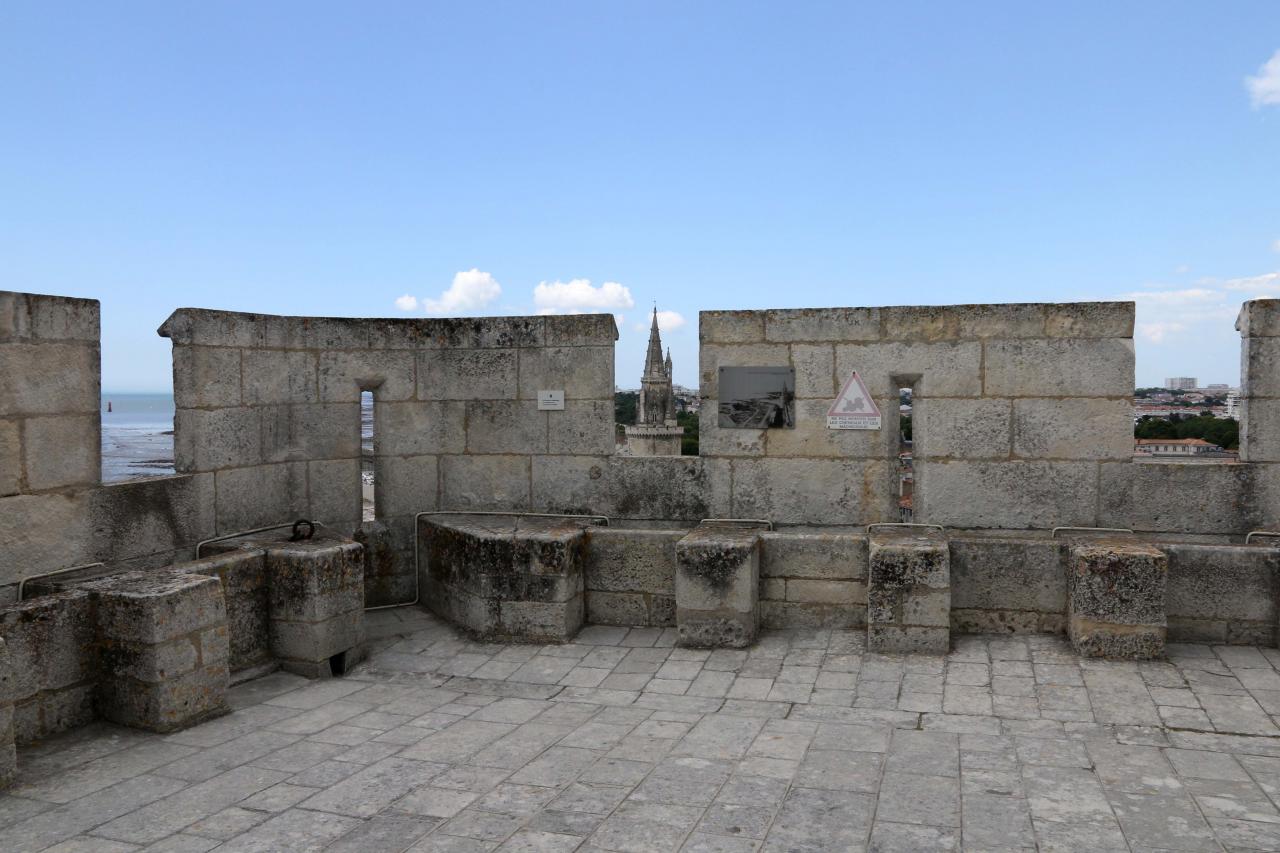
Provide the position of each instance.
(1117, 600)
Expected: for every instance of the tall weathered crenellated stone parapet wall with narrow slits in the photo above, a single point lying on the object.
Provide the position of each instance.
(1023, 422)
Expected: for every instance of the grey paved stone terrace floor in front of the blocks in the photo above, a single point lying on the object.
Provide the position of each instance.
(620, 742)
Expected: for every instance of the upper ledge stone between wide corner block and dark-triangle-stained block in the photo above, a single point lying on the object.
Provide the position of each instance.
(637, 562)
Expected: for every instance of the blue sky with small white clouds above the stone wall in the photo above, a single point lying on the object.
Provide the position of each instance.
(331, 159)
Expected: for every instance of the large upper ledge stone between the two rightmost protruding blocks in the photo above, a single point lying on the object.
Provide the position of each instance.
(1008, 574)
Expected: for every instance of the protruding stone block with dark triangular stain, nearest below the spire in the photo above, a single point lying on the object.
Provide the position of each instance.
(717, 587)
